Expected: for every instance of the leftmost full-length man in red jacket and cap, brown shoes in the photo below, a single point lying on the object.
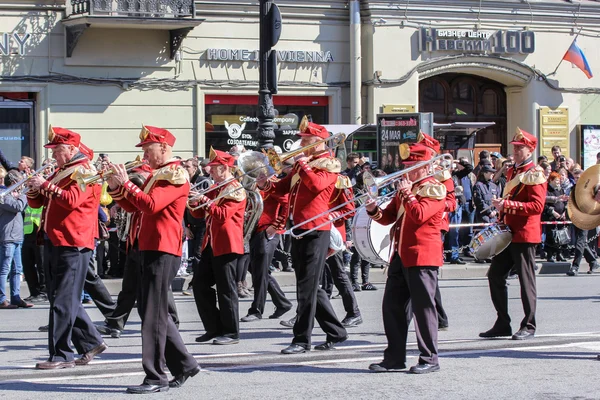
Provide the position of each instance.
(69, 226)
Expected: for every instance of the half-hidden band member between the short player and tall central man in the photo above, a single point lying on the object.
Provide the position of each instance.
(263, 244)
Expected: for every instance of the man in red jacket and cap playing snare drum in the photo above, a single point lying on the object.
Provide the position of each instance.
(522, 209)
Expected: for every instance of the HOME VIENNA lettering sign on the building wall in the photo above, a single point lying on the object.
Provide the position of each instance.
(282, 55)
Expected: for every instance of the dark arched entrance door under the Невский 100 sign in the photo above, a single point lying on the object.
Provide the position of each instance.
(467, 98)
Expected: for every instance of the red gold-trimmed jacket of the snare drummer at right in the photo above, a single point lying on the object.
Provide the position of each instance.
(525, 204)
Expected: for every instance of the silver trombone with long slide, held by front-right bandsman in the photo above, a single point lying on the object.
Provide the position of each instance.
(372, 186)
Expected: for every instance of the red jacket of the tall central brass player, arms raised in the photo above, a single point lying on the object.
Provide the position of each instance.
(310, 186)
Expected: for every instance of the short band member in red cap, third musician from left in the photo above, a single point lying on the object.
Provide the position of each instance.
(223, 245)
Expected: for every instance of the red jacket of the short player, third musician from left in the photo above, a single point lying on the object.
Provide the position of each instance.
(224, 220)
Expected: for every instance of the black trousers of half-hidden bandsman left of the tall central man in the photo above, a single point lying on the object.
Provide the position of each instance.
(261, 254)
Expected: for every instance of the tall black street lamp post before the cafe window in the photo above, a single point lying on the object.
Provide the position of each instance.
(270, 31)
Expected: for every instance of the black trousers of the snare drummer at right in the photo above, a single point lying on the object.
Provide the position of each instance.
(521, 256)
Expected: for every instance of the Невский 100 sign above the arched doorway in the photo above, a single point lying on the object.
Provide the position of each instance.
(497, 42)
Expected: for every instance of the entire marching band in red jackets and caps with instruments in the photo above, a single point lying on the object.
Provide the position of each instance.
(315, 200)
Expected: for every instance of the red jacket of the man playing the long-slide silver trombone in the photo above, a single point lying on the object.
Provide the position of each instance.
(418, 218)
